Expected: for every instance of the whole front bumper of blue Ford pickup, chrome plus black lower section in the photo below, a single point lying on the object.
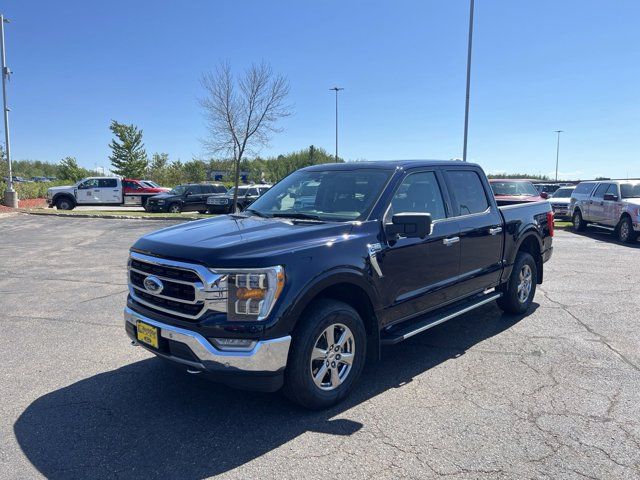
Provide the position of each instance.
(260, 368)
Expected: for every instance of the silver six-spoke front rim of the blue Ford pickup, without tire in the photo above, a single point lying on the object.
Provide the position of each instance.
(332, 357)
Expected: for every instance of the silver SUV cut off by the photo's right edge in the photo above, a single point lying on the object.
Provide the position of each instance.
(612, 204)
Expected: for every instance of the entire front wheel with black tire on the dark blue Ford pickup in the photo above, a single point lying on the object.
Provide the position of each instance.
(330, 388)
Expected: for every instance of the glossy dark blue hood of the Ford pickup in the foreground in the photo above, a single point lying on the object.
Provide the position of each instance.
(240, 241)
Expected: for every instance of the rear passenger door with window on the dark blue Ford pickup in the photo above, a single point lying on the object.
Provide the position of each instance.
(481, 231)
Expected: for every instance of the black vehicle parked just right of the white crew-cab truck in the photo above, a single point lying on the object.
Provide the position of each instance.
(192, 197)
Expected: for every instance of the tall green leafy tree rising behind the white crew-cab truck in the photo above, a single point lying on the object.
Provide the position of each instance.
(128, 157)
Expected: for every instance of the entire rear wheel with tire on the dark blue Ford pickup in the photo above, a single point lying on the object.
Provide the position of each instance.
(519, 292)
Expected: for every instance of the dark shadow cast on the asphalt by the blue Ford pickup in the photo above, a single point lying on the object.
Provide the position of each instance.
(147, 420)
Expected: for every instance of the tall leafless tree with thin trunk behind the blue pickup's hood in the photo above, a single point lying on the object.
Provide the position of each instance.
(241, 114)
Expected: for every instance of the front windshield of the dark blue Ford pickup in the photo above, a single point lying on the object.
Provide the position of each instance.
(332, 195)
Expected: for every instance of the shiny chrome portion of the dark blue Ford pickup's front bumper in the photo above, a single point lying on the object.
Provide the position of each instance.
(266, 356)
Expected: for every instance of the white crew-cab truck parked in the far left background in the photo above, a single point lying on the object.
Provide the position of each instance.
(93, 191)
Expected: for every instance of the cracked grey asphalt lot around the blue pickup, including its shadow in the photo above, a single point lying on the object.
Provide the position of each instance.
(553, 394)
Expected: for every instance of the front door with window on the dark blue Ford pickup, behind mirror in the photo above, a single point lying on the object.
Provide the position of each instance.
(419, 274)
